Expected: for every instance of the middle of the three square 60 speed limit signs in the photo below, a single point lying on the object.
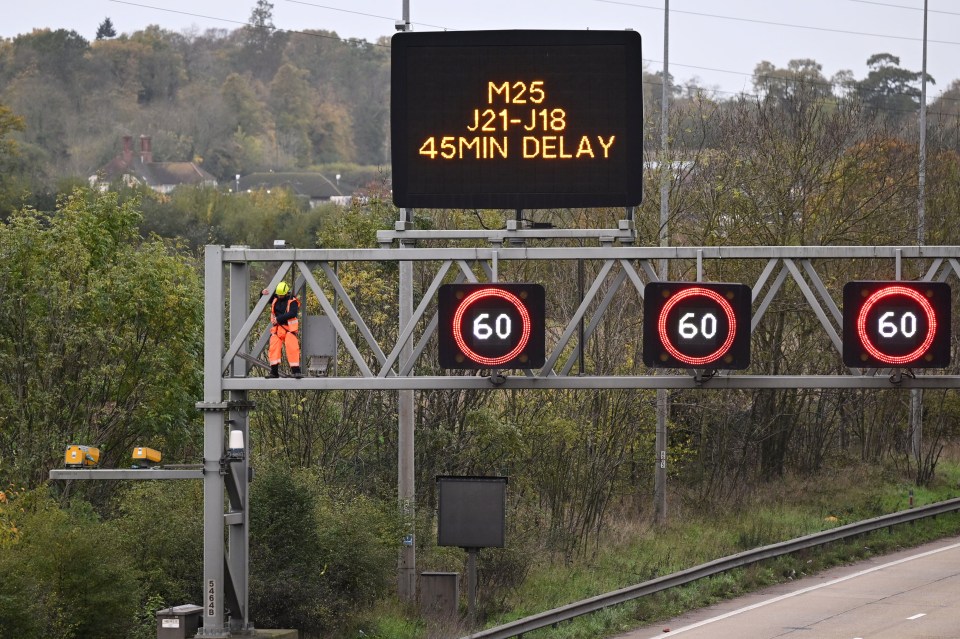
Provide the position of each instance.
(696, 325)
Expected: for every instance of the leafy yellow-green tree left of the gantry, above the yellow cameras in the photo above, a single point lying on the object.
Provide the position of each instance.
(98, 340)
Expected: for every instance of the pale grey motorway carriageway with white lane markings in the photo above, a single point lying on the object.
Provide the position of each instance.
(910, 594)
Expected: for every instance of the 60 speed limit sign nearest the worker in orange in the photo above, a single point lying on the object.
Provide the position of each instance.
(491, 325)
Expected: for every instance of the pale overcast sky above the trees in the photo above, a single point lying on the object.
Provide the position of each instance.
(719, 43)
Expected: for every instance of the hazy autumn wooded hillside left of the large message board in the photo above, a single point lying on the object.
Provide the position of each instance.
(254, 98)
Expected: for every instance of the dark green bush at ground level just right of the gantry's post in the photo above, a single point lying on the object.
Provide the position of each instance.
(316, 559)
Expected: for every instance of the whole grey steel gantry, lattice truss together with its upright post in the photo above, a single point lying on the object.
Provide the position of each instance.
(234, 334)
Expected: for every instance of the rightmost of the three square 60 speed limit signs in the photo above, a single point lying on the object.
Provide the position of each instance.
(896, 324)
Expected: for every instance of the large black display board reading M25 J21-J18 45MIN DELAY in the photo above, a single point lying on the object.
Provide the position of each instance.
(517, 119)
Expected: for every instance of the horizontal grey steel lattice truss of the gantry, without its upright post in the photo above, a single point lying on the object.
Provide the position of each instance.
(379, 366)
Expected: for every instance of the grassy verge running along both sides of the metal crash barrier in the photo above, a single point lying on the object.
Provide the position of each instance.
(697, 534)
